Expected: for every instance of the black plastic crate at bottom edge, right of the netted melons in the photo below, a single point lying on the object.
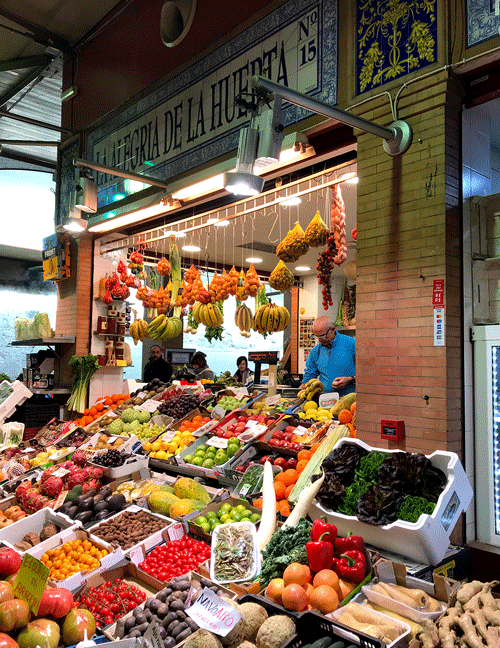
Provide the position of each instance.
(312, 626)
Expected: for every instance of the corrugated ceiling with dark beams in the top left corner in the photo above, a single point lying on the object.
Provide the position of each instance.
(34, 37)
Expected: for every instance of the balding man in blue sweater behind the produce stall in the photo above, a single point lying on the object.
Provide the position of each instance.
(333, 359)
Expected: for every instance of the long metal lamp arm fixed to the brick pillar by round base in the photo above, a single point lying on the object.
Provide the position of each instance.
(397, 138)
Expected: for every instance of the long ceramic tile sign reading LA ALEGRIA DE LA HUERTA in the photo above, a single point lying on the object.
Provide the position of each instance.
(193, 118)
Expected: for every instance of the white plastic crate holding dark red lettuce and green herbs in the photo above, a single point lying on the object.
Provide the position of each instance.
(425, 540)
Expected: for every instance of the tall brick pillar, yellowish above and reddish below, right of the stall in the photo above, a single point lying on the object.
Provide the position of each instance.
(409, 233)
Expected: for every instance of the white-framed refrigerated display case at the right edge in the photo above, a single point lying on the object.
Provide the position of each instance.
(486, 341)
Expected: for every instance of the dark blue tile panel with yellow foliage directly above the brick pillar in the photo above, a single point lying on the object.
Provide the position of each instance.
(393, 39)
